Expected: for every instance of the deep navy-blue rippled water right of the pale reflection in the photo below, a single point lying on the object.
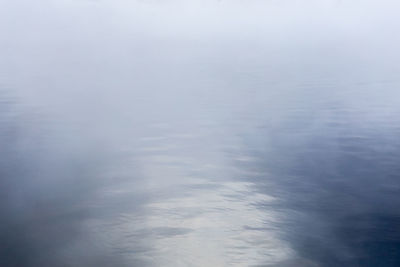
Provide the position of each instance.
(339, 187)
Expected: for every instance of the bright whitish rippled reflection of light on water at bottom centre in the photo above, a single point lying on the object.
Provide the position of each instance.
(209, 224)
